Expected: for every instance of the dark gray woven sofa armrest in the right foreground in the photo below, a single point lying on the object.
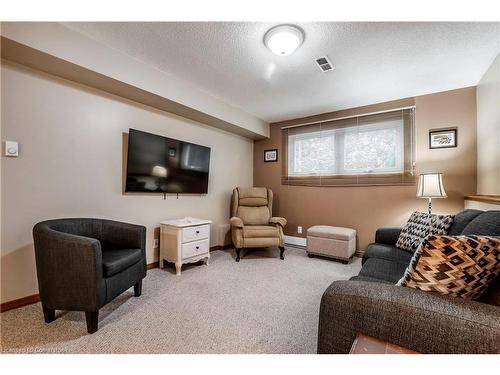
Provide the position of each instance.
(421, 321)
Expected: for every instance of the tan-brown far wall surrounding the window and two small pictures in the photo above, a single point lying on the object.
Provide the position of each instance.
(367, 208)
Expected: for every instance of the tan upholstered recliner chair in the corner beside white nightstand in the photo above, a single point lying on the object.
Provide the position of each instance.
(252, 224)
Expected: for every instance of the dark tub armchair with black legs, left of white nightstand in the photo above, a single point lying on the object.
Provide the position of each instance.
(82, 264)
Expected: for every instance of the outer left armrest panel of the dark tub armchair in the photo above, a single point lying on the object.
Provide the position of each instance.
(72, 261)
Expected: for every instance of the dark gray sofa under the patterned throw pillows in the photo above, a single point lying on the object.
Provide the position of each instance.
(372, 304)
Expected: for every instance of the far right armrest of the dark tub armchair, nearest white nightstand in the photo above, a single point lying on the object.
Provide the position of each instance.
(124, 234)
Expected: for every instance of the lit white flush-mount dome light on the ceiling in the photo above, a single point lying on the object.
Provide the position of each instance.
(283, 40)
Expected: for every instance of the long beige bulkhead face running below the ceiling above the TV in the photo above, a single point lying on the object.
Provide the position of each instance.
(59, 41)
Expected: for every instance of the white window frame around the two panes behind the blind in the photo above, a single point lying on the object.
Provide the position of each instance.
(338, 134)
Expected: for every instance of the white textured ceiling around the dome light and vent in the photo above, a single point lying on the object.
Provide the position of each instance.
(374, 62)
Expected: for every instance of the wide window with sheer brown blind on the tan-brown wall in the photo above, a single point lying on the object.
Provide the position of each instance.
(354, 150)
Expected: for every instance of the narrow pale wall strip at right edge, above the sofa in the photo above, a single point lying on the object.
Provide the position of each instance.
(488, 131)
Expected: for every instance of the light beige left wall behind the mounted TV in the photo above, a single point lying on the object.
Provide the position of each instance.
(70, 165)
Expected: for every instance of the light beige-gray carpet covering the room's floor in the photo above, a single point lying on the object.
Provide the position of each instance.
(259, 305)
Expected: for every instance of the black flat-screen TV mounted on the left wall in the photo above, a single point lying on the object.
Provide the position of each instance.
(157, 164)
